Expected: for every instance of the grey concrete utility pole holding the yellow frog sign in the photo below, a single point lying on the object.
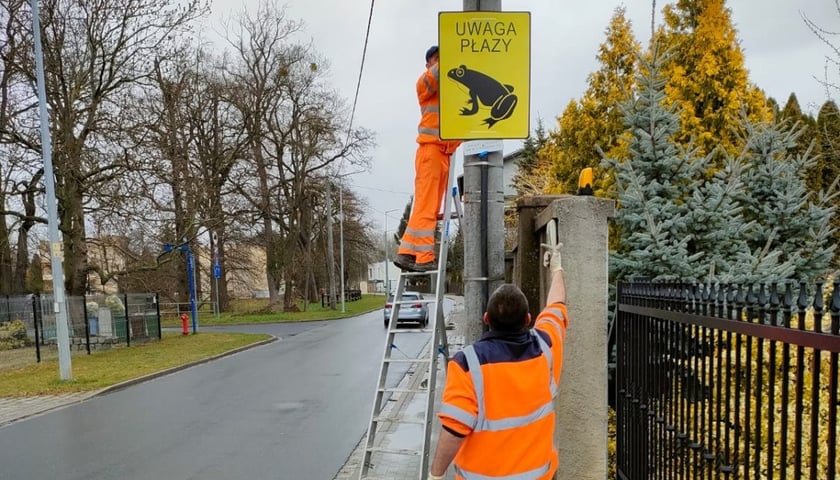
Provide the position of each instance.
(484, 225)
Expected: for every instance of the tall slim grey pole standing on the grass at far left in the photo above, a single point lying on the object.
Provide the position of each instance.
(56, 254)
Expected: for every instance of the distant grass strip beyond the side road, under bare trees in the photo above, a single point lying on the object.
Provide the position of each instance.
(250, 314)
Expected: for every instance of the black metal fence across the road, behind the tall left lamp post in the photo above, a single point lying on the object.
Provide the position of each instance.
(95, 321)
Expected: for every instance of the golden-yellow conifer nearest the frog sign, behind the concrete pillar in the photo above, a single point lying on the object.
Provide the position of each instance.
(596, 121)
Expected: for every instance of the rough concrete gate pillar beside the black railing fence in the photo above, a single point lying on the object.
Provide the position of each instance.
(581, 406)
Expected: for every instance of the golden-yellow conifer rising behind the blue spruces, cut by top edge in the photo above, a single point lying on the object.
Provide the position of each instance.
(706, 74)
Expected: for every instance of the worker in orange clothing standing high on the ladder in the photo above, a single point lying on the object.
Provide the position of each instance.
(431, 166)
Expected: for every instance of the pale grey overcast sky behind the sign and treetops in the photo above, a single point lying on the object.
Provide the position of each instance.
(782, 56)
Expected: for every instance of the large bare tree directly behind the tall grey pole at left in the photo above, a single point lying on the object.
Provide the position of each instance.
(97, 55)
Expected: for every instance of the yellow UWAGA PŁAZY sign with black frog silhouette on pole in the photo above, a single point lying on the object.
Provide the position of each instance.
(485, 75)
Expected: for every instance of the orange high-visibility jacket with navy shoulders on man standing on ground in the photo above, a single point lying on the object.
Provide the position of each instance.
(500, 394)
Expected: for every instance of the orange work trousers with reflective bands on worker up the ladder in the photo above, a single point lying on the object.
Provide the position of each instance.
(431, 175)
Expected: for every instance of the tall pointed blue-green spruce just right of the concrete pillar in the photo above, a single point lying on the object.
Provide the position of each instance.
(653, 219)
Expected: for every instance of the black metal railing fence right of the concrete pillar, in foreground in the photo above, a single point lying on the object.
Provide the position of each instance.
(727, 381)
